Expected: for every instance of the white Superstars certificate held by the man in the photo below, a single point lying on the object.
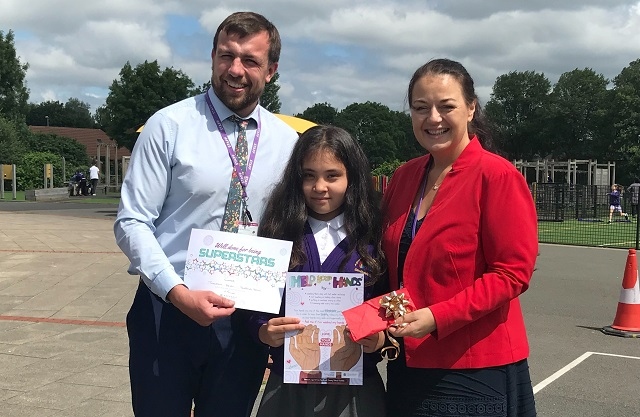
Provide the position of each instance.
(249, 270)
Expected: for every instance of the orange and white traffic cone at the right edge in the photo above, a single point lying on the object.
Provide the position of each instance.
(627, 321)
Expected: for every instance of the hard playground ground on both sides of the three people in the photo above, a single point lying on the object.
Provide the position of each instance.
(65, 292)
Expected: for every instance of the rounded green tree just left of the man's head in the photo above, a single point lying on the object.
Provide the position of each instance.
(140, 92)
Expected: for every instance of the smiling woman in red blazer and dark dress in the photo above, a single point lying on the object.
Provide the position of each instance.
(461, 237)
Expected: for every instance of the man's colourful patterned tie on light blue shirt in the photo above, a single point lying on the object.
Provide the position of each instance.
(232, 214)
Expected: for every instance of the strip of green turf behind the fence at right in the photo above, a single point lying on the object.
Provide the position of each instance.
(618, 234)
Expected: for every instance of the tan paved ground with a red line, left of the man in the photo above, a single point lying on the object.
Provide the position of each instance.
(64, 294)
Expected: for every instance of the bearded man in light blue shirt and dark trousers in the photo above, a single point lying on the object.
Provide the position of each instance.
(203, 162)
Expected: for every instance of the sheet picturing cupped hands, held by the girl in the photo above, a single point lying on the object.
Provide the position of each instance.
(322, 353)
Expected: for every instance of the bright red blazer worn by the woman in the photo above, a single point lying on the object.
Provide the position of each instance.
(471, 259)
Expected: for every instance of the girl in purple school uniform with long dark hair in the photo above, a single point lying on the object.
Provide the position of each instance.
(326, 204)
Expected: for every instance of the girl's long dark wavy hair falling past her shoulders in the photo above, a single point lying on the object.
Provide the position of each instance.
(285, 214)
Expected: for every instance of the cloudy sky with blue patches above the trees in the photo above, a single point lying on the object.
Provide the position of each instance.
(334, 51)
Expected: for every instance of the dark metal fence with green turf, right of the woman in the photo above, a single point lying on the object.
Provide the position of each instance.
(580, 215)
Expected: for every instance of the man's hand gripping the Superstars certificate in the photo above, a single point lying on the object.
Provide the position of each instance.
(203, 307)
